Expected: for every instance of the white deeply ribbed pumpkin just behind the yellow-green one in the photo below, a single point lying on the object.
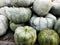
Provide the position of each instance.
(40, 23)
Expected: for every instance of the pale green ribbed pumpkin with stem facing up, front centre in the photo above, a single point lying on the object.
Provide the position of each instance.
(25, 35)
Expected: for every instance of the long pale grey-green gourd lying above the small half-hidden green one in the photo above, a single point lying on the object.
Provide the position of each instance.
(16, 15)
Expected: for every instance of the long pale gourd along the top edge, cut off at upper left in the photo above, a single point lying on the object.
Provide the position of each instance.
(16, 3)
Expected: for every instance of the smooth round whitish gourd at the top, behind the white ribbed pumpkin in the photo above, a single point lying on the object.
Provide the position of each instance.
(42, 7)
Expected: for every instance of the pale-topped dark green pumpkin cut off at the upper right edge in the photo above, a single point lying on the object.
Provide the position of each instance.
(55, 9)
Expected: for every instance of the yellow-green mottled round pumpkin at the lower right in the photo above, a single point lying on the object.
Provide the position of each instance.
(48, 37)
